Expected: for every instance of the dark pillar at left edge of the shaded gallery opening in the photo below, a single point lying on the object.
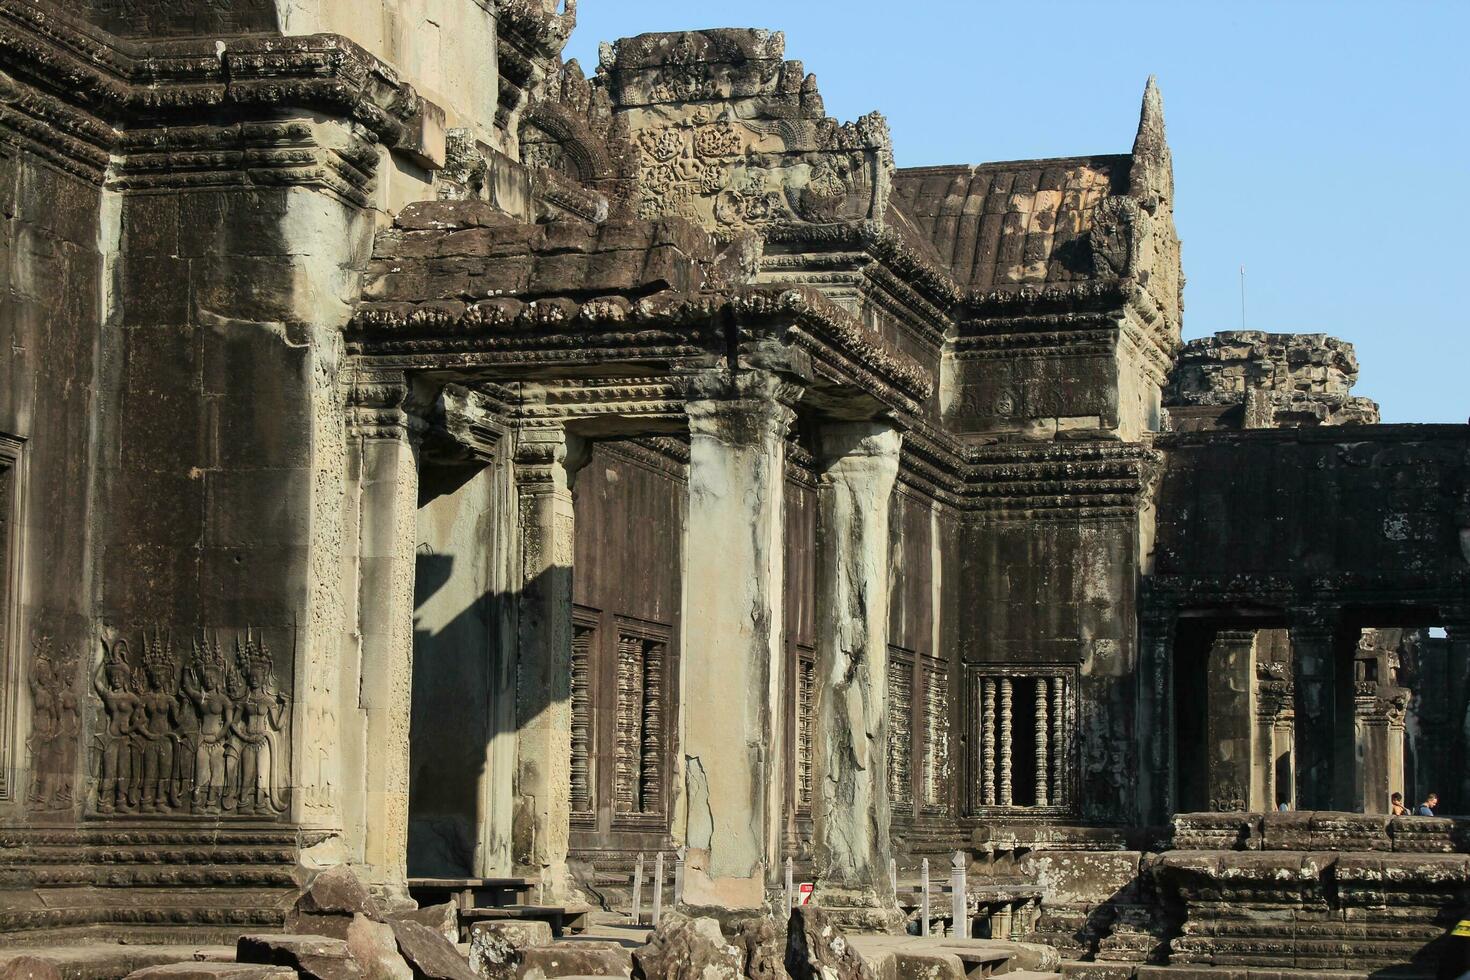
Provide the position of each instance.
(1156, 749)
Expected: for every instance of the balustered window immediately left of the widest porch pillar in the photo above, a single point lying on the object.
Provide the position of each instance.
(639, 787)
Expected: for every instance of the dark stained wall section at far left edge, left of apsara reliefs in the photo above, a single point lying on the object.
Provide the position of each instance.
(55, 249)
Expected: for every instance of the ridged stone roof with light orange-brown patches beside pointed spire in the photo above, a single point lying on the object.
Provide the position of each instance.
(1012, 226)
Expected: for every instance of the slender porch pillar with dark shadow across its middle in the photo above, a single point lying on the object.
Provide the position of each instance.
(546, 464)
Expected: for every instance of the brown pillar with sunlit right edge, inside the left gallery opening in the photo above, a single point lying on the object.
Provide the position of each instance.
(1231, 706)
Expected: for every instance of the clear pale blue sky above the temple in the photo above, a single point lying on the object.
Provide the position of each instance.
(1322, 145)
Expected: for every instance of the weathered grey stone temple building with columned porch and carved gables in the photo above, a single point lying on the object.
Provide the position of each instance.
(423, 456)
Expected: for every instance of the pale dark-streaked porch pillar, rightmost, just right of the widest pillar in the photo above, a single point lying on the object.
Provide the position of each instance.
(850, 809)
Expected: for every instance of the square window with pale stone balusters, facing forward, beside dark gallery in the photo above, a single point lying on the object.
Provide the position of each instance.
(1022, 740)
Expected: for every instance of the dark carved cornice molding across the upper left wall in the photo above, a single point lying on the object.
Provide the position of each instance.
(83, 98)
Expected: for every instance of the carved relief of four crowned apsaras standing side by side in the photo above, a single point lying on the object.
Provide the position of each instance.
(198, 735)
